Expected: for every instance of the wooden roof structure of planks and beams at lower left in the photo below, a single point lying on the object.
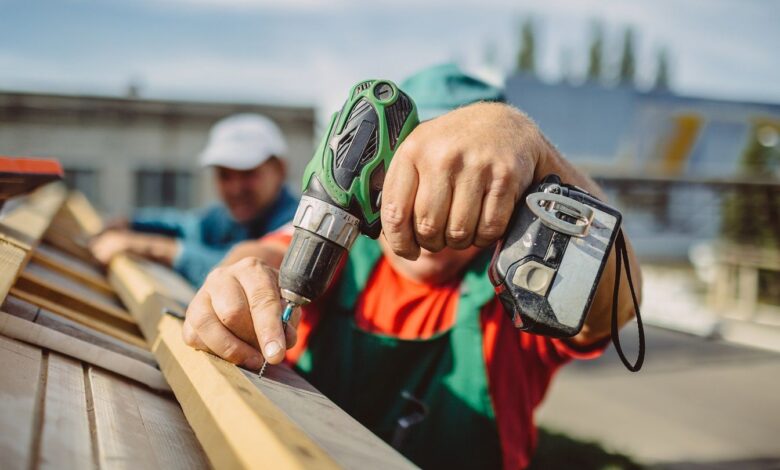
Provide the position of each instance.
(94, 375)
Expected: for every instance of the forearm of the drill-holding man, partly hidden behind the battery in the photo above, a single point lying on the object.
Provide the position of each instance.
(598, 322)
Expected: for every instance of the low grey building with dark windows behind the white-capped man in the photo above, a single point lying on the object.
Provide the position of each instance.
(128, 152)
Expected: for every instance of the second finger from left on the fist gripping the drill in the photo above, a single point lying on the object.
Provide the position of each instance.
(431, 209)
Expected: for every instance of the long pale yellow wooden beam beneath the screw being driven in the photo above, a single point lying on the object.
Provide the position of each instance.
(237, 425)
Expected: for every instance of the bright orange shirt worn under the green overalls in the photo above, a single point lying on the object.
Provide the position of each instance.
(519, 365)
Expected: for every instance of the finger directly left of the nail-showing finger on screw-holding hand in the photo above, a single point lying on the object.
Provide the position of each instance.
(231, 306)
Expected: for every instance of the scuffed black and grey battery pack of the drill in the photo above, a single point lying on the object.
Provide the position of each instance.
(546, 267)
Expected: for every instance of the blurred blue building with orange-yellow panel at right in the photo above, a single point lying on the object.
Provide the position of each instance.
(670, 162)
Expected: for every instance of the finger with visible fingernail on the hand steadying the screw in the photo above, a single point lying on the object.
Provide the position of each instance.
(262, 294)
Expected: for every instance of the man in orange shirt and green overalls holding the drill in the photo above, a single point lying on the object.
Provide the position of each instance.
(412, 320)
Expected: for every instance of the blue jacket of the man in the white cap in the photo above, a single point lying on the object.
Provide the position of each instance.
(207, 235)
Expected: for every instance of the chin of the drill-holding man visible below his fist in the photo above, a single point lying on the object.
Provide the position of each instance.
(431, 268)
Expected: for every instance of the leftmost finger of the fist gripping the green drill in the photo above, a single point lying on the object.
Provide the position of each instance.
(398, 195)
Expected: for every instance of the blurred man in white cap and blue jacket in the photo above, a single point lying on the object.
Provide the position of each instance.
(246, 152)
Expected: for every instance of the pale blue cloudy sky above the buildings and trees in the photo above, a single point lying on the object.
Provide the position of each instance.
(309, 51)
